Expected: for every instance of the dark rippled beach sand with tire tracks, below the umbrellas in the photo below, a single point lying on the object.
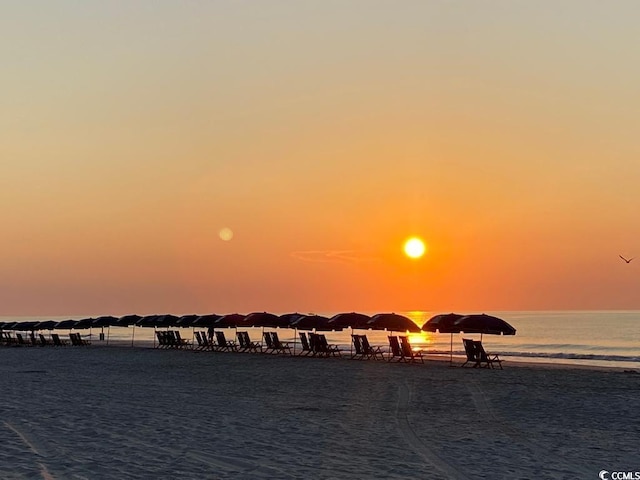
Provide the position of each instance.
(115, 412)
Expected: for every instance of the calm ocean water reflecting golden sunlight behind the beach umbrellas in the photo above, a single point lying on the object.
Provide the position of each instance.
(595, 338)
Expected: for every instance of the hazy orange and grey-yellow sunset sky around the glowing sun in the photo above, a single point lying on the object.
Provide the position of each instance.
(234, 156)
